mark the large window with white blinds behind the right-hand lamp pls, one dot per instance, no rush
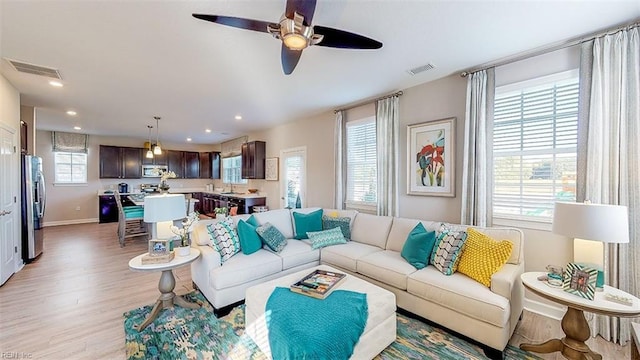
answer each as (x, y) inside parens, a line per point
(535, 133)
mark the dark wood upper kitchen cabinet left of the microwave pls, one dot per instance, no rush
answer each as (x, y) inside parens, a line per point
(120, 162)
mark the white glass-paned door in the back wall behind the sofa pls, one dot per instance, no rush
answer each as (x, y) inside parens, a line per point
(293, 172)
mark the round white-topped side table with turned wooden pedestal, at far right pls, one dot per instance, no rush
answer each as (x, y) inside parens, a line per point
(574, 324)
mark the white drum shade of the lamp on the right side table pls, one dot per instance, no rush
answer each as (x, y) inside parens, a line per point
(598, 222)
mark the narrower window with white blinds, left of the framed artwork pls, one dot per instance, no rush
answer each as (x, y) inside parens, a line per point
(361, 163)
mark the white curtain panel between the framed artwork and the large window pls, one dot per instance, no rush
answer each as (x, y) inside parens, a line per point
(477, 167)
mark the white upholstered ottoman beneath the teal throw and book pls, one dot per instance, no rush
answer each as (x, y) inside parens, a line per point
(379, 332)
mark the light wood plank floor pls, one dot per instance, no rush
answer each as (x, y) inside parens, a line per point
(68, 304)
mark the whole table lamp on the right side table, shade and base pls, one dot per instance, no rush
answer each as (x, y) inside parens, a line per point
(591, 225)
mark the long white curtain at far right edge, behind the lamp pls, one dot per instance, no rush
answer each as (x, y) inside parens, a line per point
(612, 165)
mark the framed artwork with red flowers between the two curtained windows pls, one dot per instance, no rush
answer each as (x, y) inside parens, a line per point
(431, 158)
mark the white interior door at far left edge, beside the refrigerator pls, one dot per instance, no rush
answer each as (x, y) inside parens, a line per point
(8, 207)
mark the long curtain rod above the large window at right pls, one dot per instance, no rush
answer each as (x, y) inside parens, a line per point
(549, 48)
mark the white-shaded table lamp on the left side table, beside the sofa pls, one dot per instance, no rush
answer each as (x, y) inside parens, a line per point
(162, 210)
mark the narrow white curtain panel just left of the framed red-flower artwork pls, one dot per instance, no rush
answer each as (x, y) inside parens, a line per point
(387, 154)
